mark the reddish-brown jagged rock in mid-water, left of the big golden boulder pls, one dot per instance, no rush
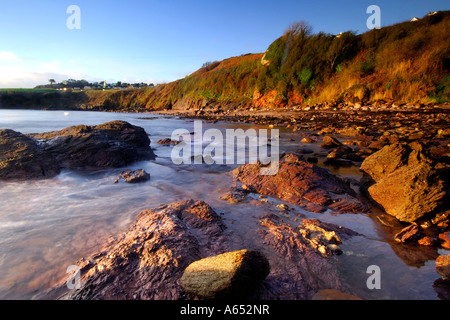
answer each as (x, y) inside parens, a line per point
(303, 184)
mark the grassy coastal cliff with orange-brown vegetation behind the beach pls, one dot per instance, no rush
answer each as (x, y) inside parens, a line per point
(406, 63)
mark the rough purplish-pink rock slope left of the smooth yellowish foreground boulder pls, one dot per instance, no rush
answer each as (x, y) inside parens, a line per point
(147, 261)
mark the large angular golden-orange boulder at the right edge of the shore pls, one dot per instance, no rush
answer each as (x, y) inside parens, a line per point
(402, 180)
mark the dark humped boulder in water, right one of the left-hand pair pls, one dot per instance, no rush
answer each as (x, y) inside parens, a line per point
(110, 145)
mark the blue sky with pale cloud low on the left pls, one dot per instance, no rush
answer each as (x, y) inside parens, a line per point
(161, 41)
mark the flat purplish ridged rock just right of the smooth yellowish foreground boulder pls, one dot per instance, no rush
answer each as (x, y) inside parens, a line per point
(306, 266)
